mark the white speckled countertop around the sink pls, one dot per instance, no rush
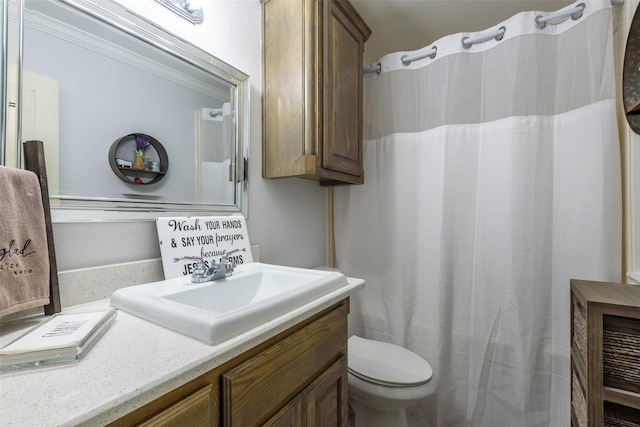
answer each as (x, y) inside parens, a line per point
(133, 363)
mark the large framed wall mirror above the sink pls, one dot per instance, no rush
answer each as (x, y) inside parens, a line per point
(92, 73)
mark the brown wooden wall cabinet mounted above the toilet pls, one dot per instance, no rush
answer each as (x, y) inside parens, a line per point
(312, 90)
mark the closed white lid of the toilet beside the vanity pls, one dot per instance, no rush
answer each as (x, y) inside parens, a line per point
(386, 364)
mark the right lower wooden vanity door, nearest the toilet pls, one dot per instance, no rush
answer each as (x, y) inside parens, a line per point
(325, 400)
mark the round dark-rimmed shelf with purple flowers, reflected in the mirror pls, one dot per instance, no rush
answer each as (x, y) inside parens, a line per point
(121, 160)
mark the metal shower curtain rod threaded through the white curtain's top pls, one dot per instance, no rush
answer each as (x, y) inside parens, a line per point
(541, 22)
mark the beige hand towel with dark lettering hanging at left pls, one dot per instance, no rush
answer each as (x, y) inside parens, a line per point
(24, 257)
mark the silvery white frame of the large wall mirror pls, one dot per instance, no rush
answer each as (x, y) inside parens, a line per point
(97, 209)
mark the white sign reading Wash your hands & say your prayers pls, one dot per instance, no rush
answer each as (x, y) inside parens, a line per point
(207, 236)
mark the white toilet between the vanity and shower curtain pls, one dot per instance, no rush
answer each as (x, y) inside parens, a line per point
(383, 380)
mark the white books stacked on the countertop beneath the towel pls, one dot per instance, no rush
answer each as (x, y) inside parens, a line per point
(62, 338)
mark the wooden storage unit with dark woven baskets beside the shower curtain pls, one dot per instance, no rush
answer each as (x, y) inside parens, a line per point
(605, 354)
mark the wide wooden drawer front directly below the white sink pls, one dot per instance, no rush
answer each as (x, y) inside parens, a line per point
(253, 390)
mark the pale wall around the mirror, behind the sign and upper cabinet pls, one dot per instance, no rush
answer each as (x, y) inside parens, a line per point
(286, 217)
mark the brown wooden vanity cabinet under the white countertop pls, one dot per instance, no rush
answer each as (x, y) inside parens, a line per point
(297, 378)
